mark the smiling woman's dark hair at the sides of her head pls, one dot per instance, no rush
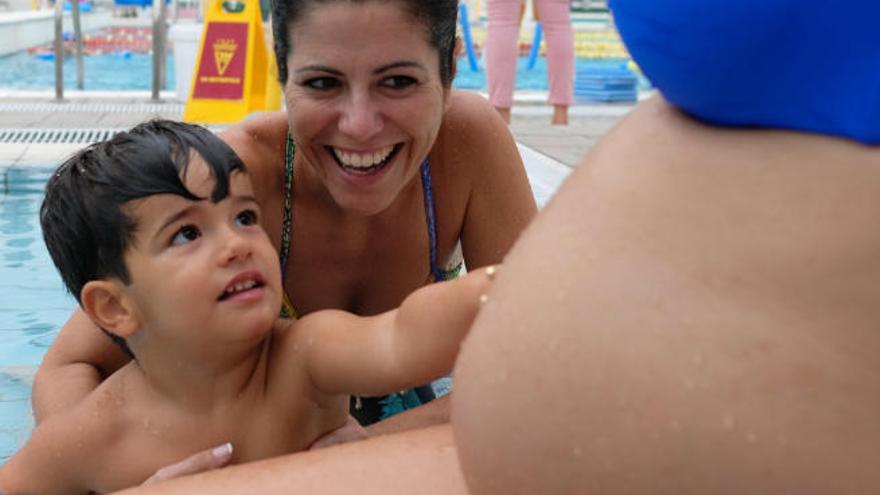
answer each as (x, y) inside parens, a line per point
(438, 17)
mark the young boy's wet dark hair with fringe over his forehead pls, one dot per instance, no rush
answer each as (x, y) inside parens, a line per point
(85, 226)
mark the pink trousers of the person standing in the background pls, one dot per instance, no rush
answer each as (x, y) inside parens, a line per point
(502, 49)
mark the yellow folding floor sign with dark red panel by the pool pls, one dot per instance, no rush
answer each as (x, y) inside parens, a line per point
(235, 74)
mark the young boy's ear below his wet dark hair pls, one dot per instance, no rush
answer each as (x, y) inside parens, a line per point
(109, 307)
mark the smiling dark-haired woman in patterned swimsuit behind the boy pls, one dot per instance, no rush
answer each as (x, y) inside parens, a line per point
(370, 185)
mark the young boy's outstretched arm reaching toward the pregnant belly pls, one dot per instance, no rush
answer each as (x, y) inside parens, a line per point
(398, 349)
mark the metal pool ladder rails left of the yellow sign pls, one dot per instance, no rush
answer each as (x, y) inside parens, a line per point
(160, 34)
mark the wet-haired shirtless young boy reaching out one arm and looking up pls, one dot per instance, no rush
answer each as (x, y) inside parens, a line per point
(157, 233)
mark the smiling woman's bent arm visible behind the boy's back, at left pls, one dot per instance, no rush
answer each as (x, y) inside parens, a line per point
(78, 360)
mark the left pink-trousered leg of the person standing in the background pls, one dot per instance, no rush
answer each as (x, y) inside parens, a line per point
(501, 53)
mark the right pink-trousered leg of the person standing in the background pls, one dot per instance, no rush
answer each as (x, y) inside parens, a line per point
(556, 23)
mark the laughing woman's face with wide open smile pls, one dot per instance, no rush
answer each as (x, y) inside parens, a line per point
(364, 99)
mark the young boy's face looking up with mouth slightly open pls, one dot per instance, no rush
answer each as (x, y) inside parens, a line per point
(199, 267)
